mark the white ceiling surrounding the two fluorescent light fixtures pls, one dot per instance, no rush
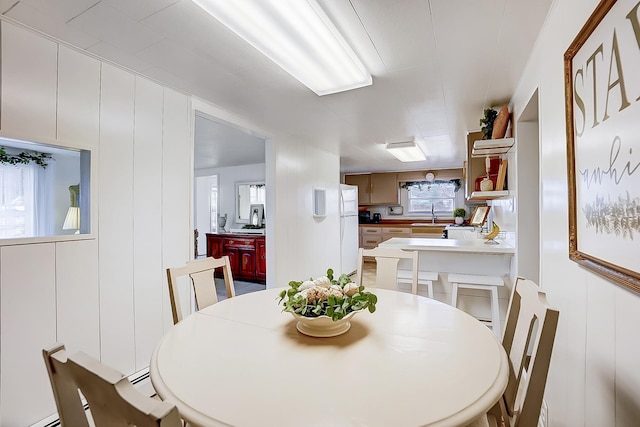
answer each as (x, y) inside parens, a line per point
(436, 64)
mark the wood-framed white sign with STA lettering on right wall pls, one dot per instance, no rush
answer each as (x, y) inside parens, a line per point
(602, 103)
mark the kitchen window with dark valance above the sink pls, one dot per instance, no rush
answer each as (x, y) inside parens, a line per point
(437, 197)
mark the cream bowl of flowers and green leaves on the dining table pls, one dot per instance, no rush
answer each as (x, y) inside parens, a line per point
(324, 305)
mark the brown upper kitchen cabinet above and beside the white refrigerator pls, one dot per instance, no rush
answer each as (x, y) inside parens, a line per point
(375, 188)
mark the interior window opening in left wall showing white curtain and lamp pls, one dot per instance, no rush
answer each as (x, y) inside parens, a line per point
(44, 190)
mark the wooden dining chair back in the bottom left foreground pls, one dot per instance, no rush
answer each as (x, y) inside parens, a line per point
(113, 401)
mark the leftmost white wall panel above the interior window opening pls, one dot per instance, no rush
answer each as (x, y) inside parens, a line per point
(29, 83)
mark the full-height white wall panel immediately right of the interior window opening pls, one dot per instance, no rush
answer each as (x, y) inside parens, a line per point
(115, 219)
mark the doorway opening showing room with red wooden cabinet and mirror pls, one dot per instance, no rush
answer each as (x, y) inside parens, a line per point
(226, 156)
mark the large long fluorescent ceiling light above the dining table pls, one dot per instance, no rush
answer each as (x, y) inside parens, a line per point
(298, 36)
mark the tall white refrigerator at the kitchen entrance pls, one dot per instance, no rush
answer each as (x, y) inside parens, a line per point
(349, 240)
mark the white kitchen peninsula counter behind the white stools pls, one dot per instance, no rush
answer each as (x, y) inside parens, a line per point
(466, 256)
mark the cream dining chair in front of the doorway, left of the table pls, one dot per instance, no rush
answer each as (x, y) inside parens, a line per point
(201, 273)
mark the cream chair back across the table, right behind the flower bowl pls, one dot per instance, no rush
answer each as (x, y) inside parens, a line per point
(387, 260)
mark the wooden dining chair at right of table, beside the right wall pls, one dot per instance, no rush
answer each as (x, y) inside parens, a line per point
(528, 338)
